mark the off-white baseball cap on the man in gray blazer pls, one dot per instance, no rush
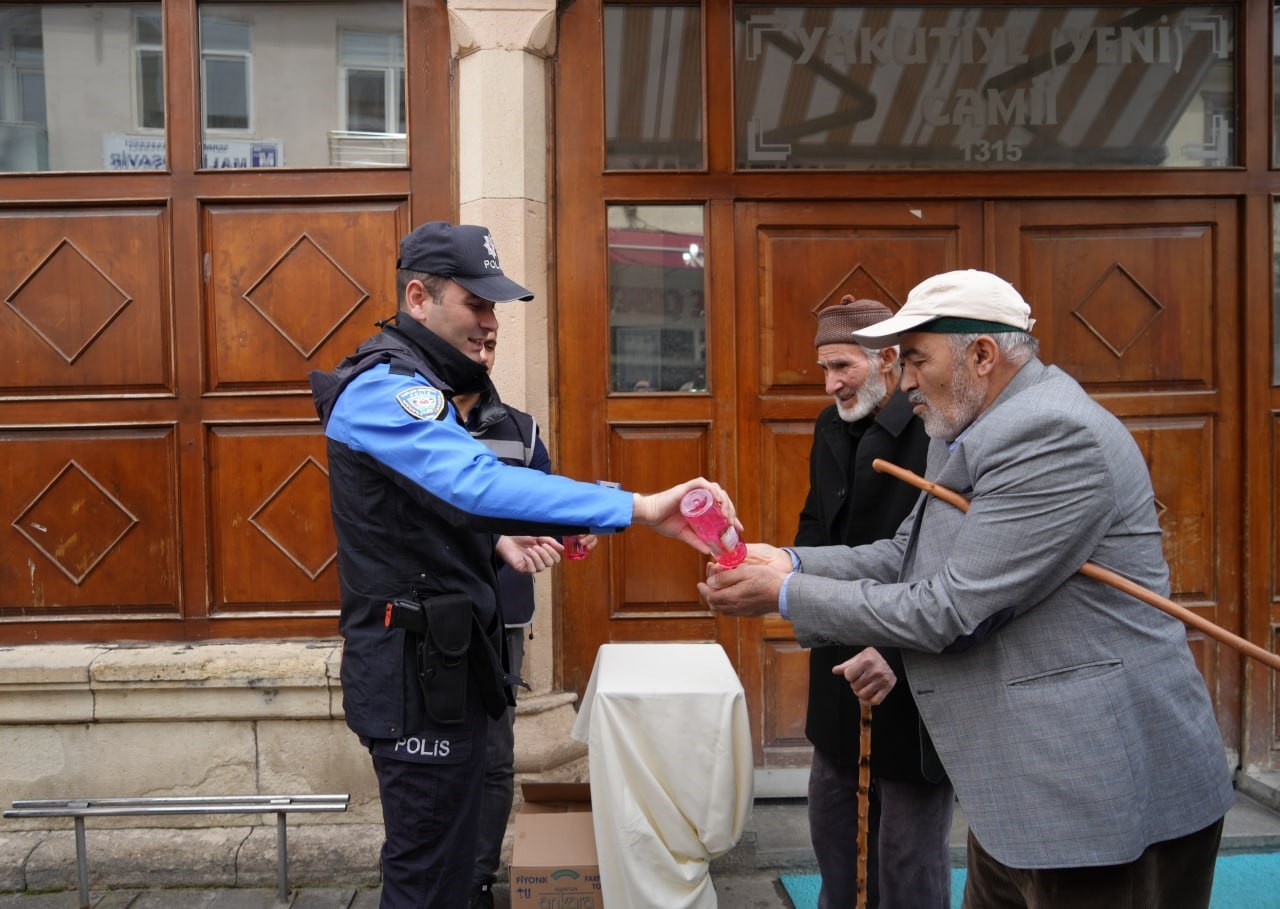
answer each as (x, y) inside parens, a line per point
(954, 303)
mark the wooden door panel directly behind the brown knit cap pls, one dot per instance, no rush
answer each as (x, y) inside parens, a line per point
(804, 269)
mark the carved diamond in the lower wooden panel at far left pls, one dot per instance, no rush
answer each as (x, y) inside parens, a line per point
(75, 522)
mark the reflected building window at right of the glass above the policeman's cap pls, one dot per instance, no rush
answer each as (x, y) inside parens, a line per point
(372, 72)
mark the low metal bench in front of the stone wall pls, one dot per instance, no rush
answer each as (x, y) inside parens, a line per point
(79, 810)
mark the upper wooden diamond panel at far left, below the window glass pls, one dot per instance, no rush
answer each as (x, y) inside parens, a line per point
(86, 302)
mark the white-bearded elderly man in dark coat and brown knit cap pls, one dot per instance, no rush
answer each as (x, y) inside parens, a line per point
(849, 504)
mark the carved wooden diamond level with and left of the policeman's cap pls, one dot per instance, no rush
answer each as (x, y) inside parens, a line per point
(305, 272)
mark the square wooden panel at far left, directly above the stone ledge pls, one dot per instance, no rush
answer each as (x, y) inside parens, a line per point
(90, 523)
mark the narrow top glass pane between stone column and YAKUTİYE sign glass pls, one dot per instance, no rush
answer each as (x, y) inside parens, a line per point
(653, 88)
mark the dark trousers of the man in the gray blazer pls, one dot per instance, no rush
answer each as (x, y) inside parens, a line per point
(1171, 875)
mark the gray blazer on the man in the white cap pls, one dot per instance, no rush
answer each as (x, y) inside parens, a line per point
(1069, 716)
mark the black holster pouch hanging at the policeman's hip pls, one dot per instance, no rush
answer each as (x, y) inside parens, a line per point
(442, 657)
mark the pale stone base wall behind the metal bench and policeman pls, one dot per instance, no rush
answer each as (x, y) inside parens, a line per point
(222, 719)
